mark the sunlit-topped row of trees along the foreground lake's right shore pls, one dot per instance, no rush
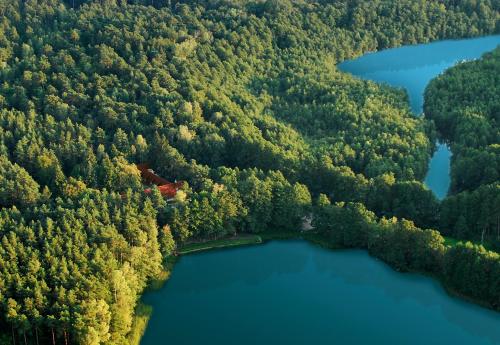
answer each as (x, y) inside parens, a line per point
(467, 269)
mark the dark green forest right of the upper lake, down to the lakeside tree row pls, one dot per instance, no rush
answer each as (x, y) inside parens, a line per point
(464, 103)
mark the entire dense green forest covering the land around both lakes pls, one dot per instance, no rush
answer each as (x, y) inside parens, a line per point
(243, 103)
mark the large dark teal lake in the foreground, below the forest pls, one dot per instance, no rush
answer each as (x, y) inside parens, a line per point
(292, 292)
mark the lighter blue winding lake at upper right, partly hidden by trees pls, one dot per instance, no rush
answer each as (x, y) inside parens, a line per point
(412, 67)
